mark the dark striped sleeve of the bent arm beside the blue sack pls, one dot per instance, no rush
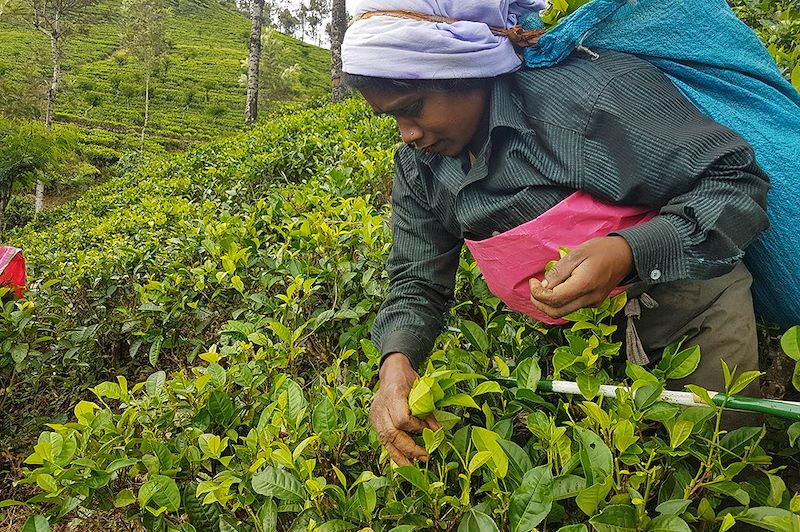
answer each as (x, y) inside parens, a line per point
(646, 144)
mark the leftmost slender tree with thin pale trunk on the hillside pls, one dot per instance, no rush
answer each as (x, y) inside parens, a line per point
(55, 19)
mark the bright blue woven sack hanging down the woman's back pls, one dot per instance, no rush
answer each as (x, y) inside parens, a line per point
(719, 64)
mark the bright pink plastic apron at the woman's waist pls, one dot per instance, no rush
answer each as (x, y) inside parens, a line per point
(508, 260)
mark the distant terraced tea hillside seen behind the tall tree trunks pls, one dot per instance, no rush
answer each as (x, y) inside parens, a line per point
(196, 92)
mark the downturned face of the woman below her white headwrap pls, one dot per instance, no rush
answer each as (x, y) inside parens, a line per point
(438, 122)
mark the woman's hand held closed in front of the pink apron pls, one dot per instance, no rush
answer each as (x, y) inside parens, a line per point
(584, 277)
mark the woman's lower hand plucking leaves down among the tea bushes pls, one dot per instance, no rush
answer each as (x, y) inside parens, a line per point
(390, 415)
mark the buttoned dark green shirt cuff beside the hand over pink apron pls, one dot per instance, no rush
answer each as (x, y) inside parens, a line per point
(657, 250)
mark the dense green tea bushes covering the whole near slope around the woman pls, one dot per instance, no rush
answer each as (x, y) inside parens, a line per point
(192, 354)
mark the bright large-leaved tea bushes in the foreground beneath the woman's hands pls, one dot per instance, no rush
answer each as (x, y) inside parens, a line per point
(237, 443)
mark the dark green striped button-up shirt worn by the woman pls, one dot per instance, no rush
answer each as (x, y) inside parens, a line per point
(615, 127)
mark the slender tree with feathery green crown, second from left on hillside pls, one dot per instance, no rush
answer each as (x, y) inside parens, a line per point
(143, 36)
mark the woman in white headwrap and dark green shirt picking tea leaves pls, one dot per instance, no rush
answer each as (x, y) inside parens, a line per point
(492, 150)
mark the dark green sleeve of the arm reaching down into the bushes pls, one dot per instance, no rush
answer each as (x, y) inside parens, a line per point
(422, 268)
